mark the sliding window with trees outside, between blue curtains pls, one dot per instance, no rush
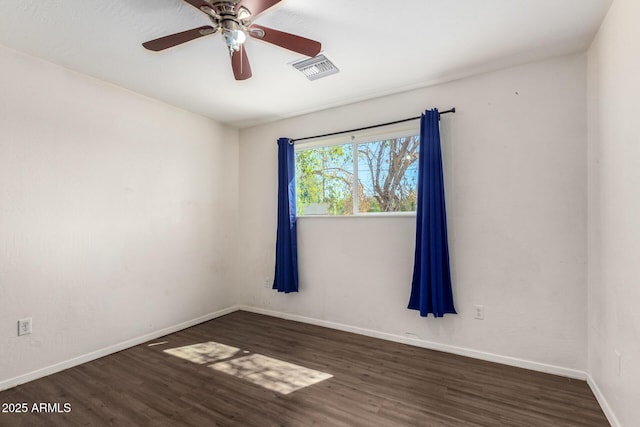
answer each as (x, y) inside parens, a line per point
(369, 174)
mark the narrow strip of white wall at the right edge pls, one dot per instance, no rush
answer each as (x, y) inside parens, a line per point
(614, 210)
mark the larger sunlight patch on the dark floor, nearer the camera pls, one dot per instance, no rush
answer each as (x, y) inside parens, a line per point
(272, 374)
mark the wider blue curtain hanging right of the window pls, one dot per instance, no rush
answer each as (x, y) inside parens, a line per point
(431, 284)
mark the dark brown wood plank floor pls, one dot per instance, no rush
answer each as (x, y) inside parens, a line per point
(375, 383)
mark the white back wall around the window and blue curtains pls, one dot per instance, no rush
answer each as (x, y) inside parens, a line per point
(515, 171)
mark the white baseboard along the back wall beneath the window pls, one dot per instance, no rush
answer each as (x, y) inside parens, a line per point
(461, 351)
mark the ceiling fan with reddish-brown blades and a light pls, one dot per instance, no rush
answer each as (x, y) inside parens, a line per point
(233, 19)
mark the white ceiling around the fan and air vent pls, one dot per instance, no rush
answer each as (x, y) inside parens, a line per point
(381, 47)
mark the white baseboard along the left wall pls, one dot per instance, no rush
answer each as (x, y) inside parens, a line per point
(21, 379)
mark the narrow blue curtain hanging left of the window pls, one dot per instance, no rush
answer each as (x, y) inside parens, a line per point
(286, 275)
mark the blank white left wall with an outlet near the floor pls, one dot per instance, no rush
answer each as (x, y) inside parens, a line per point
(117, 214)
